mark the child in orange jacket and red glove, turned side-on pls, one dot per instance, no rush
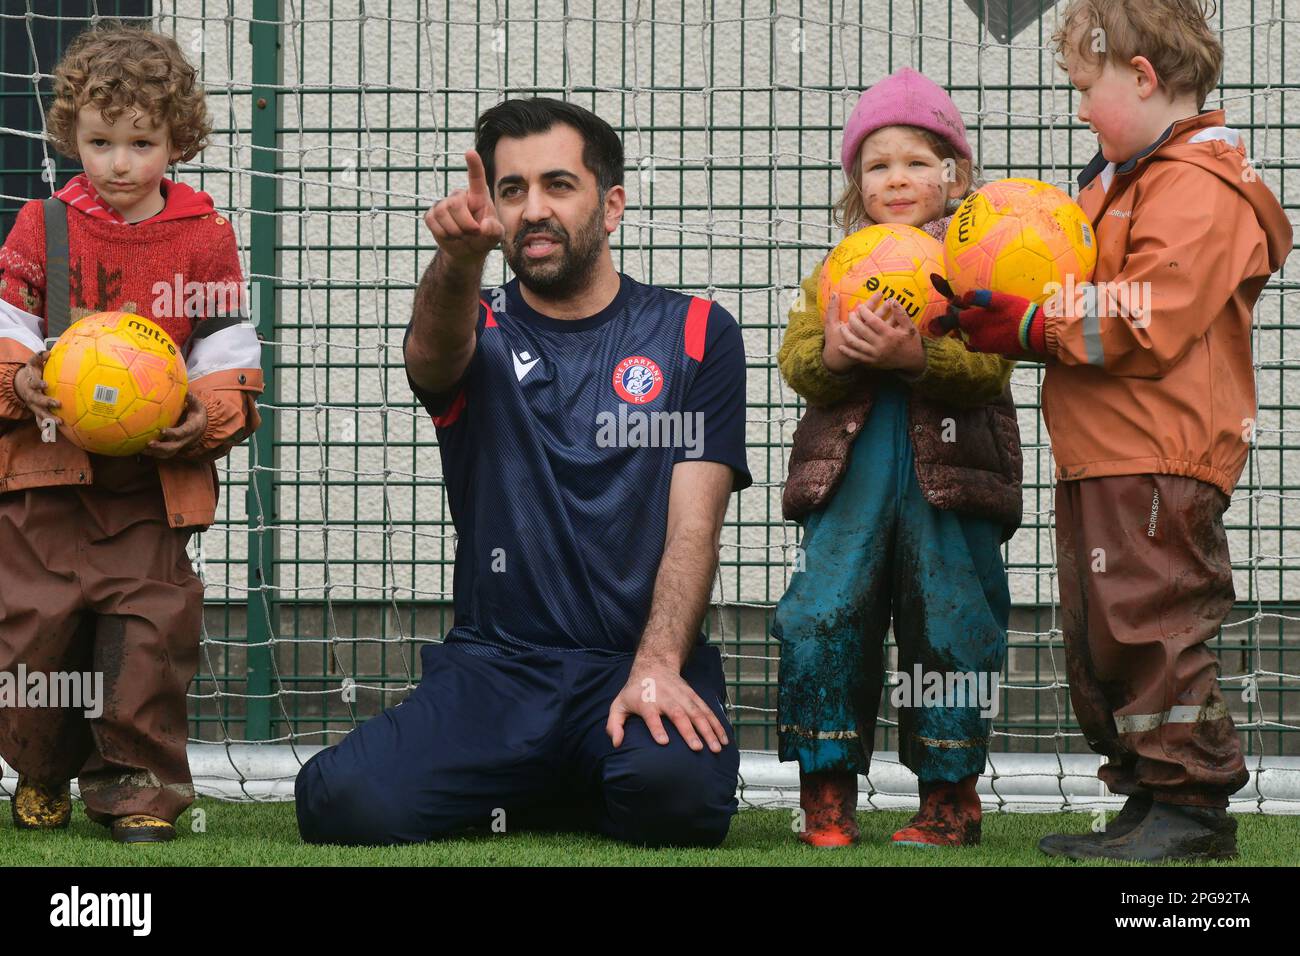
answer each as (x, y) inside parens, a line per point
(1150, 400)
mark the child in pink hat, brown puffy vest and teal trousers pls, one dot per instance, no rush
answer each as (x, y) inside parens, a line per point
(909, 526)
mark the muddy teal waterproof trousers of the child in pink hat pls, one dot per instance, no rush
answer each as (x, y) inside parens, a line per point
(878, 551)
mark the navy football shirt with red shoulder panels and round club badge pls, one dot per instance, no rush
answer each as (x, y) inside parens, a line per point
(558, 448)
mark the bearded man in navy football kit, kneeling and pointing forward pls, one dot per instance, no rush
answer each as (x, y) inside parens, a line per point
(592, 430)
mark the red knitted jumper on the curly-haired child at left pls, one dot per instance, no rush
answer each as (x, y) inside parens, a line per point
(140, 269)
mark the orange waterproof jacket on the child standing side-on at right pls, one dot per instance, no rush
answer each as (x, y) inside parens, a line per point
(1189, 235)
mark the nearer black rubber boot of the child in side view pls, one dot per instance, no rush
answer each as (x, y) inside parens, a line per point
(1171, 832)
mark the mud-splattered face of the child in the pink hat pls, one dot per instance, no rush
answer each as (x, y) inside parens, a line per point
(903, 180)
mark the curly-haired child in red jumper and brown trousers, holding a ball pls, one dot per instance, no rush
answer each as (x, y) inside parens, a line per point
(97, 582)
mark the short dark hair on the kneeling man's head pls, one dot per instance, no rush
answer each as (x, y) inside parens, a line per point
(603, 150)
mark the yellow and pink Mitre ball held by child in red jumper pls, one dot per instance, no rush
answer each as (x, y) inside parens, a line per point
(120, 382)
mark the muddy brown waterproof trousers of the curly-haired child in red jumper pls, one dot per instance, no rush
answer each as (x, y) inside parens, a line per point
(94, 581)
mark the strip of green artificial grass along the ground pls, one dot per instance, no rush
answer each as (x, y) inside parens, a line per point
(267, 836)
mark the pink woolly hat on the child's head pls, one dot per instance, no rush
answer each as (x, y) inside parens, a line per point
(905, 98)
